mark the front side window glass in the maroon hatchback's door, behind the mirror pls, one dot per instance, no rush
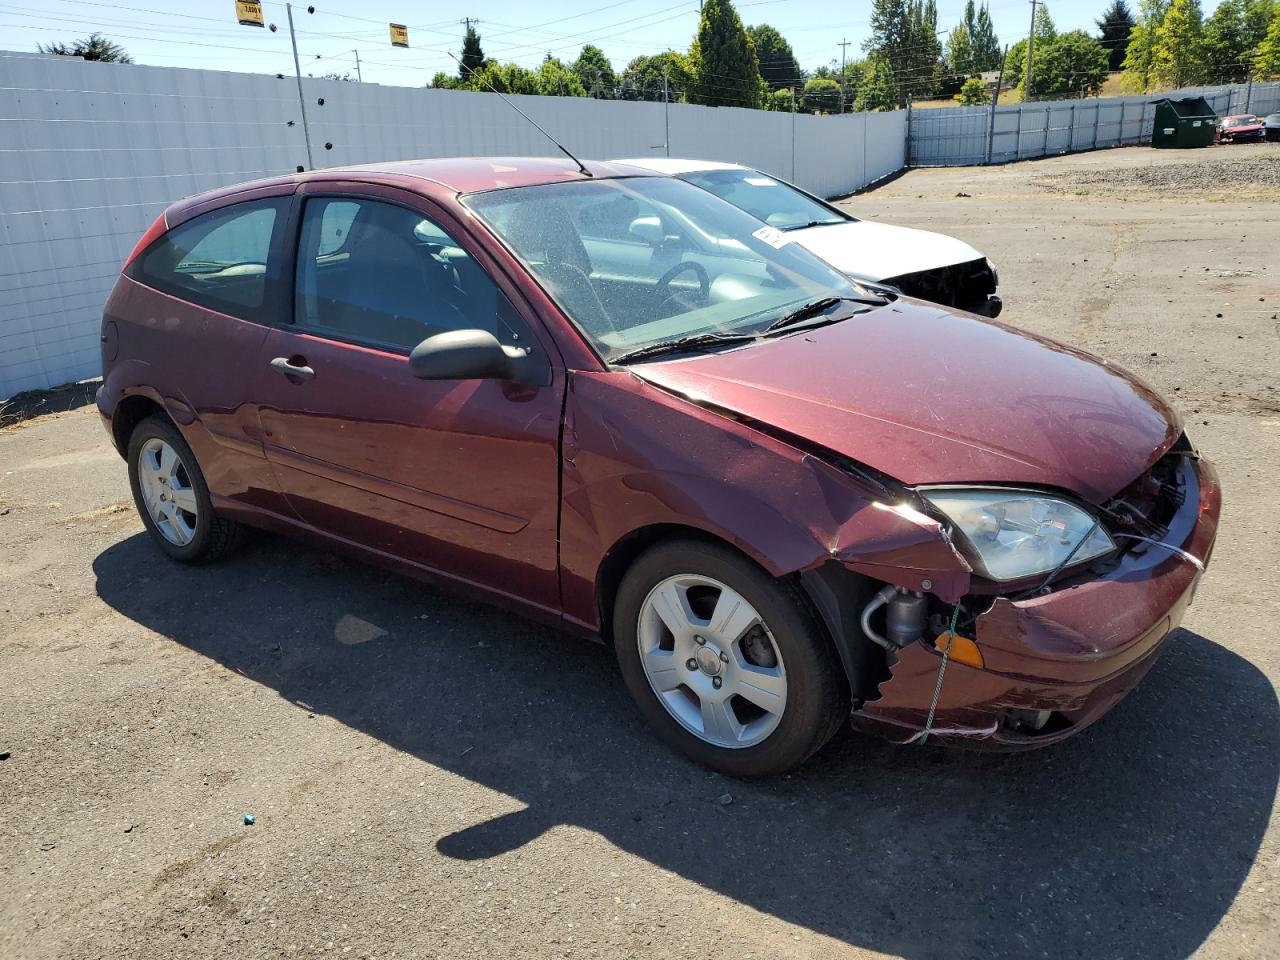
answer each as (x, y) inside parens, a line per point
(381, 275)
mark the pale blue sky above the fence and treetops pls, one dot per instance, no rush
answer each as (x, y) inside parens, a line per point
(205, 33)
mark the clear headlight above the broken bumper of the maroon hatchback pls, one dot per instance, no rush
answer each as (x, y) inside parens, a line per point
(1017, 534)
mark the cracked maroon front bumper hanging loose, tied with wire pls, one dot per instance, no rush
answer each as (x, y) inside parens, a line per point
(1076, 652)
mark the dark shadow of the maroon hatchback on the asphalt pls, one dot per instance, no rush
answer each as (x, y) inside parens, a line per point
(1131, 840)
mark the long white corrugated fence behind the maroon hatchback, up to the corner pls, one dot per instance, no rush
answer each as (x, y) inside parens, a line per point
(92, 153)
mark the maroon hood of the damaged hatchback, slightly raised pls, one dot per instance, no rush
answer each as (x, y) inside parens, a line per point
(930, 396)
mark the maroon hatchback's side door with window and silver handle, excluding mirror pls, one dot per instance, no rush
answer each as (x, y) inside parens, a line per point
(460, 477)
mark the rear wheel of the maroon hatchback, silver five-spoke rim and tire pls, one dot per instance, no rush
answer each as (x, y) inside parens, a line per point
(172, 497)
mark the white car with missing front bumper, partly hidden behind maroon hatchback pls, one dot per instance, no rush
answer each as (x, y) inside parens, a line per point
(922, 264)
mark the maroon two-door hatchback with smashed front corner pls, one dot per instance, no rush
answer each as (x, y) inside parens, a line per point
(620, 404)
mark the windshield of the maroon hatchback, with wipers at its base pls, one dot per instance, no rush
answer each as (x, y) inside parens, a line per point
(648, 260)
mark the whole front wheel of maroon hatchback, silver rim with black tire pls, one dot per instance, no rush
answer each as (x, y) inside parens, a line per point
(728, 664)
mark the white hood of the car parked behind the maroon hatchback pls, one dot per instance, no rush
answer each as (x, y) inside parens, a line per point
(877, 252)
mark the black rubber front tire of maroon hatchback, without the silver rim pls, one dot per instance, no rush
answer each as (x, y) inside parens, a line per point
(817, 693)
